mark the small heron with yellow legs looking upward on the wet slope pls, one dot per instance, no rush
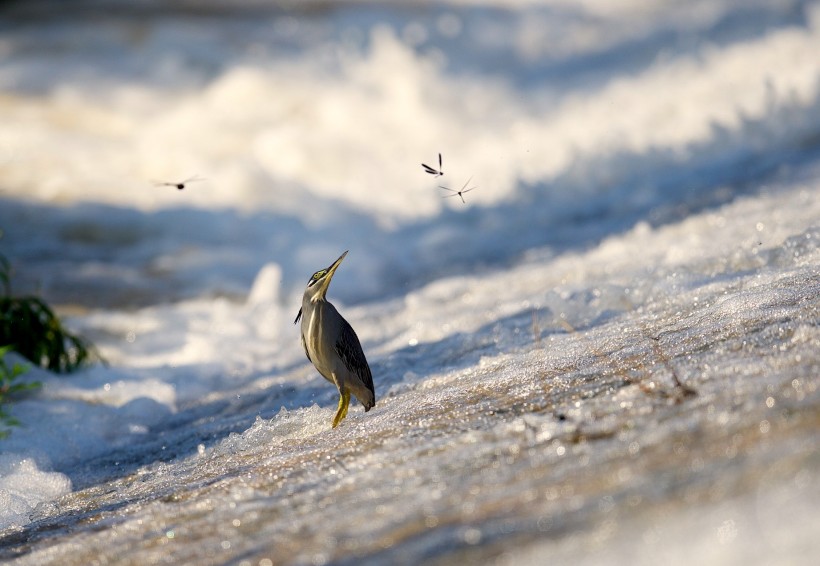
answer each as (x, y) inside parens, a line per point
(332, 346)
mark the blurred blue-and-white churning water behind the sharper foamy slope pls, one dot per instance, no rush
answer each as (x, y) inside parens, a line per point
(306, 124)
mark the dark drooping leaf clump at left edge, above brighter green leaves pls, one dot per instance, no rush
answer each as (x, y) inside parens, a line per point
(29, 327)
